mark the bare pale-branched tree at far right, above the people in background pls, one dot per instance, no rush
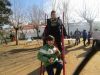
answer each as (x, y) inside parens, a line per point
(88, 14)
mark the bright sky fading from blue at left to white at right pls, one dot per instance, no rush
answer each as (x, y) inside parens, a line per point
(47, 5)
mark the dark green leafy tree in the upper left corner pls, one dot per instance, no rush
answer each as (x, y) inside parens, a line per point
(5, 11)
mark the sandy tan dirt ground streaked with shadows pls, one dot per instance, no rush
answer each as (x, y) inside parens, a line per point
(22, 59)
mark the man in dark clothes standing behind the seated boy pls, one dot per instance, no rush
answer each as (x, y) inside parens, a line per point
(54, 28)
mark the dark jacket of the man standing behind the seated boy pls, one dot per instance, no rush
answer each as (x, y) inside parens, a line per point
(55, 30)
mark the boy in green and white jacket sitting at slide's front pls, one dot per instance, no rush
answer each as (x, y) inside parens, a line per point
(49, 54)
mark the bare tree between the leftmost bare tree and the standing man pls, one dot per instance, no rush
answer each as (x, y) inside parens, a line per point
(35, 16)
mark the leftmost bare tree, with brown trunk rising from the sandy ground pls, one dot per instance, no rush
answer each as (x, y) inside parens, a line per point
(16, 19)
